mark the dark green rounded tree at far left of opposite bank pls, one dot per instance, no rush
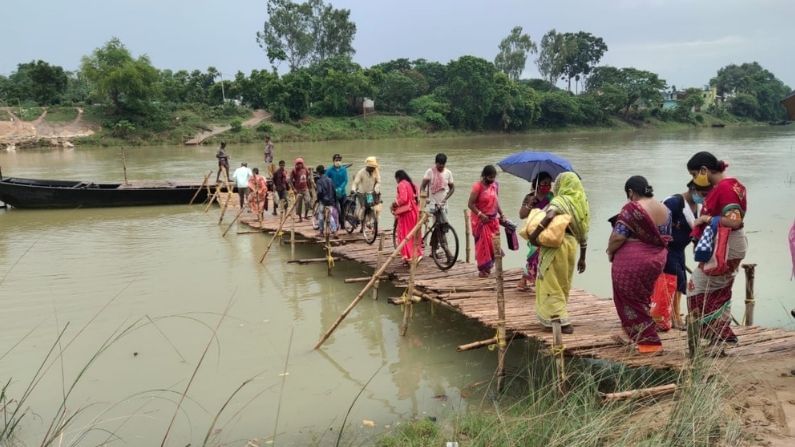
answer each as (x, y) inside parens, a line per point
(39, 82)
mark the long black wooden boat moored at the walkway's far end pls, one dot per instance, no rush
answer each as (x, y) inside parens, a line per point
(31, 193)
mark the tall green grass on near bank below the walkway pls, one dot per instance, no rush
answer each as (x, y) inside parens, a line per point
(533, 413)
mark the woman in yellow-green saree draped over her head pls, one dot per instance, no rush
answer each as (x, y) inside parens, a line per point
(556, 264)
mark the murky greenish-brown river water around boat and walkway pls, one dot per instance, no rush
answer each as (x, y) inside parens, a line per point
(168, 272)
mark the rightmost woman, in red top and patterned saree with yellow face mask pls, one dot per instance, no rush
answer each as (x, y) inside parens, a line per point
(709, 295)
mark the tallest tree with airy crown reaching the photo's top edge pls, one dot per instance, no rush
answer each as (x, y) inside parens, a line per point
(304, 33)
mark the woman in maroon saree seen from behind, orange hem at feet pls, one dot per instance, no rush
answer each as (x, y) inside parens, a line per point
(637, 249)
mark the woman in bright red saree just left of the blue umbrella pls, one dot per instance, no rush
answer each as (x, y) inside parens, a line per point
(485, 218)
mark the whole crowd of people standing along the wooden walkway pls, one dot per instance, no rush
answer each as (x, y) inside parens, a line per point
(648, 245)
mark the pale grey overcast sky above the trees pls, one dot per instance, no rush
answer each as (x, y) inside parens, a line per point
(685, 41)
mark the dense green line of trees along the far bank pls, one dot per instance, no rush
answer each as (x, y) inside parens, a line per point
(468, 93)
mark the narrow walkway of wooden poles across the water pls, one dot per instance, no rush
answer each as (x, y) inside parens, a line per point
(594, 319)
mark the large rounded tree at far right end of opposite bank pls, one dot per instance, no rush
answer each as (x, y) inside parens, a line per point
(754, 80)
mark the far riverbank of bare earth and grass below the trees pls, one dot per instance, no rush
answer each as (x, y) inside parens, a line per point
(64, 126)
